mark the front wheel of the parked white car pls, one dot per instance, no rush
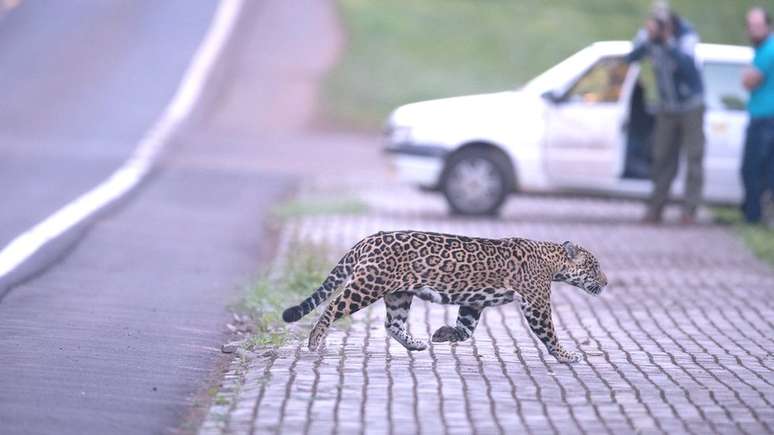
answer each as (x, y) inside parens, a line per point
(476, 182)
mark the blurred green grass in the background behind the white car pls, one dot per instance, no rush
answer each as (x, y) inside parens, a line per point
(401, 51)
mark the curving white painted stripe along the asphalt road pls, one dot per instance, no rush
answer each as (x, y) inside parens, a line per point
(145, 154)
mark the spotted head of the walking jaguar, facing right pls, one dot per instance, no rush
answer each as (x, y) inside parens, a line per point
(580, 268)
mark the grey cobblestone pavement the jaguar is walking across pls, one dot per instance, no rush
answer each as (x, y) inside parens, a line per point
(682, 340)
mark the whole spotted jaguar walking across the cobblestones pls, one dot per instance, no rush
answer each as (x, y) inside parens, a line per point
(473, 273)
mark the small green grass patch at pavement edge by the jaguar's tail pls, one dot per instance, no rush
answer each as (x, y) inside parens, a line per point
(305, 268)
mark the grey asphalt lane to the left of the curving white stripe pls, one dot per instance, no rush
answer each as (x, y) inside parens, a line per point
(81, 82)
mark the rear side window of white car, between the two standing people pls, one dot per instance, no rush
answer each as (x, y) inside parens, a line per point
(723, 86)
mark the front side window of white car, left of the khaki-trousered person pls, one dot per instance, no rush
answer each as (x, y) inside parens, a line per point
(601, 83)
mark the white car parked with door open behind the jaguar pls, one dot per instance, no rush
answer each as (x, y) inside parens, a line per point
(583, 125)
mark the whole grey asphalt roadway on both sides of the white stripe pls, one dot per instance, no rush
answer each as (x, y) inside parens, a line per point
(119, 328)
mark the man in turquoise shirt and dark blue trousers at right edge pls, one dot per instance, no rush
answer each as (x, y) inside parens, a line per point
(758, 157)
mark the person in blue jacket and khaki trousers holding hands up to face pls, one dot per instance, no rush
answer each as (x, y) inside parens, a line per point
(670, 42)
